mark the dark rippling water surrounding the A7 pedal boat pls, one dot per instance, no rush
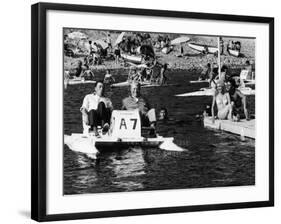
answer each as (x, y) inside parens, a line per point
(212, 158)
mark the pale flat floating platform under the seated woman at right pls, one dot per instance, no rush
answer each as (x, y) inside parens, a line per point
(243, 127)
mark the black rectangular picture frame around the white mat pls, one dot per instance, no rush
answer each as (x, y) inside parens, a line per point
(38, 108)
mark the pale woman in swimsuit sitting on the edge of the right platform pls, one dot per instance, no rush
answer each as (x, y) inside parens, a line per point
(221, 99)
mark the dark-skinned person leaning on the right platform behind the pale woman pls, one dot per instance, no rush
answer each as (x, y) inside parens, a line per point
(238, 100)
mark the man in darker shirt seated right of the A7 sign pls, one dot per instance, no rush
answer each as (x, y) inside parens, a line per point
(136, 101)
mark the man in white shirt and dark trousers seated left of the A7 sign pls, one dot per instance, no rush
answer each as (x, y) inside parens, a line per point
(96, 110)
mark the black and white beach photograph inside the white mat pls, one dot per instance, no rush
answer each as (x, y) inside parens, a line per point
(148, 111)
